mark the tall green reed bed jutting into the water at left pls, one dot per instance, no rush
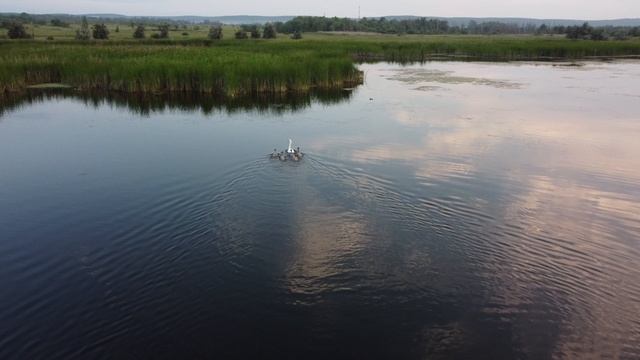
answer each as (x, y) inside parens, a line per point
(140, 68)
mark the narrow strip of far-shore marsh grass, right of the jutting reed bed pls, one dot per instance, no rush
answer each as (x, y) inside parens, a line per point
(474, 47)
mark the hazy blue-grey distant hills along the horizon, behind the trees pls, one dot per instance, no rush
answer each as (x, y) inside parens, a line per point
(254, 19)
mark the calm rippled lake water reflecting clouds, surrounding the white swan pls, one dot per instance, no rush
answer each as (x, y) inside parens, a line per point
(444, 210)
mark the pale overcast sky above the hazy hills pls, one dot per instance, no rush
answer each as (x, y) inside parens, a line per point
(566, 9)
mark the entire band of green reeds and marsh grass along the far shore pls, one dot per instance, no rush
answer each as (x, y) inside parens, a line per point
(238, 68)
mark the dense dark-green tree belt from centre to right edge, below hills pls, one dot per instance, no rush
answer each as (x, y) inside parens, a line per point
(438, 26)
